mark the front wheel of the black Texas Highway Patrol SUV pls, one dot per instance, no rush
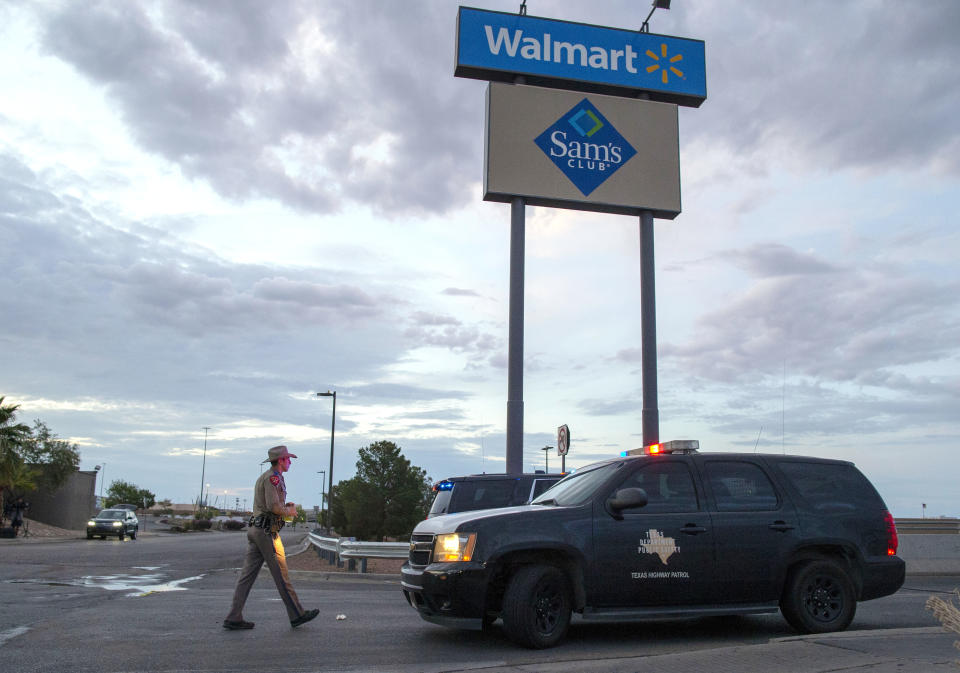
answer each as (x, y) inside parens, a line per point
(536, 606)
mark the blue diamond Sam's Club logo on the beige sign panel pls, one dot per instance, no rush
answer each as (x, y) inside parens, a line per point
(585, 146)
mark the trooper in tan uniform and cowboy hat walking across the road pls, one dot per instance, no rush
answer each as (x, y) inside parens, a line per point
(264, 545)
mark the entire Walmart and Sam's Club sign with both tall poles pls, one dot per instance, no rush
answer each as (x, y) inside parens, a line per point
(581, 117)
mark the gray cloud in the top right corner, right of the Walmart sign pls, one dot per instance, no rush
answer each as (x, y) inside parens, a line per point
(831, 84)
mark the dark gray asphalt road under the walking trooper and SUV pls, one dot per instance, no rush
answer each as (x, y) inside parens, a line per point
(157, 603)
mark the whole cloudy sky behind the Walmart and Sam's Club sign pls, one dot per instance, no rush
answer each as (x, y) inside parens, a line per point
(210, 211)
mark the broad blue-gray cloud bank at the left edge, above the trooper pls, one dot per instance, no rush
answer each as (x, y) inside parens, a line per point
(107, 309)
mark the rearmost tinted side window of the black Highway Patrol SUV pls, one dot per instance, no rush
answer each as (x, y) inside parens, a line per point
(832, 486)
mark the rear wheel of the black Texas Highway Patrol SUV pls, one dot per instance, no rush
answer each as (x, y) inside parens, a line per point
(818, 598)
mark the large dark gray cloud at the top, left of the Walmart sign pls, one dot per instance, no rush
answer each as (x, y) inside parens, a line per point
(239, 108)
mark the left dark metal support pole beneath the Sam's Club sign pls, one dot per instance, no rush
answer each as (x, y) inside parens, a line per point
(515, 345)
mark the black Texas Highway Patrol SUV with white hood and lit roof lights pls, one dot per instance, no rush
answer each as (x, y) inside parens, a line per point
(668, 532)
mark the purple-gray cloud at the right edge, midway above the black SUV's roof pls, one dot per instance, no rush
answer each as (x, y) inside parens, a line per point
(838, 326)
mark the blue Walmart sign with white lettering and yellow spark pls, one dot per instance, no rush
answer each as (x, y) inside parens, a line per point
(499, 46)
